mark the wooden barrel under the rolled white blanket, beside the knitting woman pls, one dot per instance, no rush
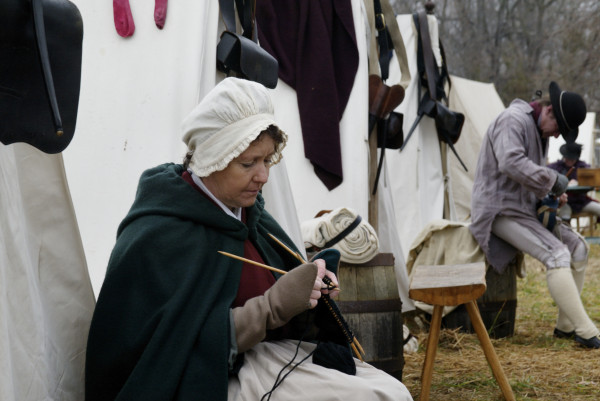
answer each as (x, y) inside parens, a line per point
(371, 305)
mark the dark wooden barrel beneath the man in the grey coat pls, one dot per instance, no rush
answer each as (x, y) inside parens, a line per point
(498, 305)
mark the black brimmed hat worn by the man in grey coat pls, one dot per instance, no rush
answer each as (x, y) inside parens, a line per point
(569, 110)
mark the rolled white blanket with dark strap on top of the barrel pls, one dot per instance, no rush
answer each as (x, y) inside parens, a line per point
(358, 246)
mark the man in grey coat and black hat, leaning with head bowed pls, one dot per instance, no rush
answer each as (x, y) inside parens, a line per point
(510, 179)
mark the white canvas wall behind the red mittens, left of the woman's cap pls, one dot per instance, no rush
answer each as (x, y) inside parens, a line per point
(134, 94)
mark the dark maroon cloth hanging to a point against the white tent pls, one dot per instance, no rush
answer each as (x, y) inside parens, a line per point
(314, 42)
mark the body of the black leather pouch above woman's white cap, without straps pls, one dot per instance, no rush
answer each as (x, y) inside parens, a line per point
(242, 56)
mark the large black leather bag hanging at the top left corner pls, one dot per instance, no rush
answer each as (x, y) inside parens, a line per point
(40, 72)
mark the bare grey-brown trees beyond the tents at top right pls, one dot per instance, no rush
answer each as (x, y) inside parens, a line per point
(521, 45)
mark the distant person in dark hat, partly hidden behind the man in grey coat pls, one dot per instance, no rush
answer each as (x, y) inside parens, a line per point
(577, 201)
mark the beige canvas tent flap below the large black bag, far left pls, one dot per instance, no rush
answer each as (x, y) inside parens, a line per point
(46, 299)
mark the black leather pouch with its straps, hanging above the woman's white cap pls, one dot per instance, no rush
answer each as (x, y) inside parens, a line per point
(239, 55)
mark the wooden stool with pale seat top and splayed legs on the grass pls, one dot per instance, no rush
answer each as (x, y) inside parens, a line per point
(449, 285)
